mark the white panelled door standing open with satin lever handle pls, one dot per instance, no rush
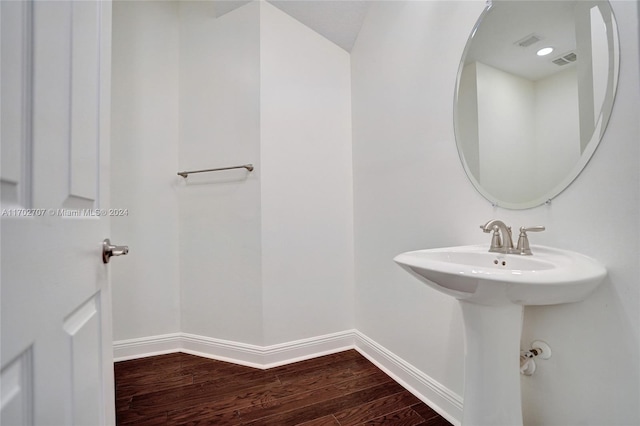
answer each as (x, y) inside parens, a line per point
(56, 354)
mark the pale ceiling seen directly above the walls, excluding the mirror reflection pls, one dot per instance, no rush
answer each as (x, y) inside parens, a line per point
(336, 20)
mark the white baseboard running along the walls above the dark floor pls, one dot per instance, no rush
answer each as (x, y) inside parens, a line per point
(444, 401)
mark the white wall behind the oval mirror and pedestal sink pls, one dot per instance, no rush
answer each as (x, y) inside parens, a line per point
(410, 192)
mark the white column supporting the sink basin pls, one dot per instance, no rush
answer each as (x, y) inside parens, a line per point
(492, 365)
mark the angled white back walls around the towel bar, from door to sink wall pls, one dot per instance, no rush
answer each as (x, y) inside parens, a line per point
(255, 258)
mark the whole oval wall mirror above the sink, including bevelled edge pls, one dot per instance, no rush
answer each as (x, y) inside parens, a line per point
(534, 94)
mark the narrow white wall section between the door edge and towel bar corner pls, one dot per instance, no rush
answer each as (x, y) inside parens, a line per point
(144, 154)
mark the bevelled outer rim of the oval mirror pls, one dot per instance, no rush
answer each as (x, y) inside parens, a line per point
(587, 154)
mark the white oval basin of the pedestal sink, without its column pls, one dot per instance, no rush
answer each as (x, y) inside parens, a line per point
(550, 276)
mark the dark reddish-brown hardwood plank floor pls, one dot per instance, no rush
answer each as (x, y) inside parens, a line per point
(339, 389)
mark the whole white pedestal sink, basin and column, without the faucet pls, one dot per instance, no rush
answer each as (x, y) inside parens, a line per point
(493, 289)
